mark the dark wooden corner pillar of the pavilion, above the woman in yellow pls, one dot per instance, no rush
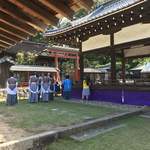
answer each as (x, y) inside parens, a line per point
(81, 62)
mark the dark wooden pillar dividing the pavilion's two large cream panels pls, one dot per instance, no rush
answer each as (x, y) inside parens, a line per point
(113, 59)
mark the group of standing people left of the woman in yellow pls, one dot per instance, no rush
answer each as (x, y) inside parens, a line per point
(40, 88)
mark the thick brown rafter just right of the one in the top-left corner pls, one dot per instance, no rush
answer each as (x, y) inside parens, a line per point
(36, 11)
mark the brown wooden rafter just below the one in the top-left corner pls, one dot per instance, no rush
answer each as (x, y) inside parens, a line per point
(17, 24)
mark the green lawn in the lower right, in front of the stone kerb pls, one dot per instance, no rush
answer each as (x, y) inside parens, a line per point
(135, 136)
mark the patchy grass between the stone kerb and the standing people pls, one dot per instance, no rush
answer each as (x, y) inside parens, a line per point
(43, 116)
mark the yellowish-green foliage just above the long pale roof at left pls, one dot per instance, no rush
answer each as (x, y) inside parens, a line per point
(23, 58)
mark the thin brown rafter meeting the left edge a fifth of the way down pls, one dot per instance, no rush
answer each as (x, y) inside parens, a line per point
(11, 34)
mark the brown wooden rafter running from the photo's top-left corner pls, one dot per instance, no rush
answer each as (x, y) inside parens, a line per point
(9, 8)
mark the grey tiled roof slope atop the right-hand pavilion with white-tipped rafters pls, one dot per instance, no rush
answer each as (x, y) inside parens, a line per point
(102, 10)
